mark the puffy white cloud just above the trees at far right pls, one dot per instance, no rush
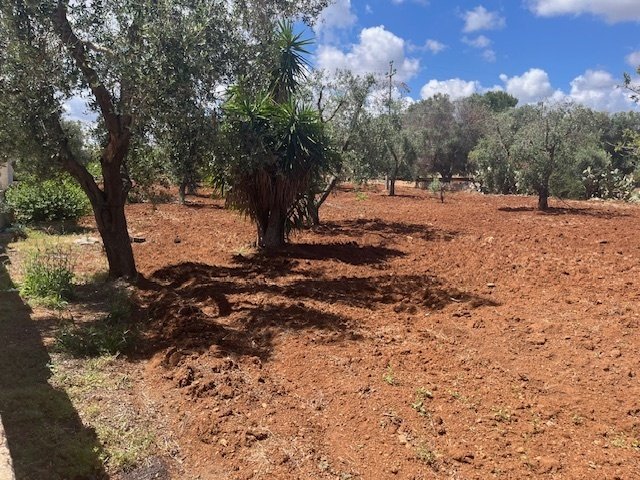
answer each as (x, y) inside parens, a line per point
(599, 90)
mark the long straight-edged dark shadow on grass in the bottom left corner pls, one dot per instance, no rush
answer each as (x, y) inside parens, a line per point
(45, 434)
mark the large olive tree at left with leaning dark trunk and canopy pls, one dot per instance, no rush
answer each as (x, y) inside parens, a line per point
(132, 60)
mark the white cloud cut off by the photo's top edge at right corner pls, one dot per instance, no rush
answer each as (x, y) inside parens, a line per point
(610, 10)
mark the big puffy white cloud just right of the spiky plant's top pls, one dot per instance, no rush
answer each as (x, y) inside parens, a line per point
(372, 54)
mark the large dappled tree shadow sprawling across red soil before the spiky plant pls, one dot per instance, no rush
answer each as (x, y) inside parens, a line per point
(242, 309)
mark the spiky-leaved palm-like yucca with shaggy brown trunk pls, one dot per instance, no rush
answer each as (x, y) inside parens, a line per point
(276, 143)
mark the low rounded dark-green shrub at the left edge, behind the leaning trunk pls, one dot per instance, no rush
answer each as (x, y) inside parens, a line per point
(49, 200)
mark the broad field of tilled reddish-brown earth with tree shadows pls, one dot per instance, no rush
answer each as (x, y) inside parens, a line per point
(403, 338)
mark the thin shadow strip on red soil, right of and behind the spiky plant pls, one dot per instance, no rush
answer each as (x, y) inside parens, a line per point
(356, 228)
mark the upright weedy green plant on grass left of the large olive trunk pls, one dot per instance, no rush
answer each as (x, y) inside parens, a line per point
(48, 276)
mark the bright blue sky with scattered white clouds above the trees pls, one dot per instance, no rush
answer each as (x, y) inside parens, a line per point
(534, 49)
